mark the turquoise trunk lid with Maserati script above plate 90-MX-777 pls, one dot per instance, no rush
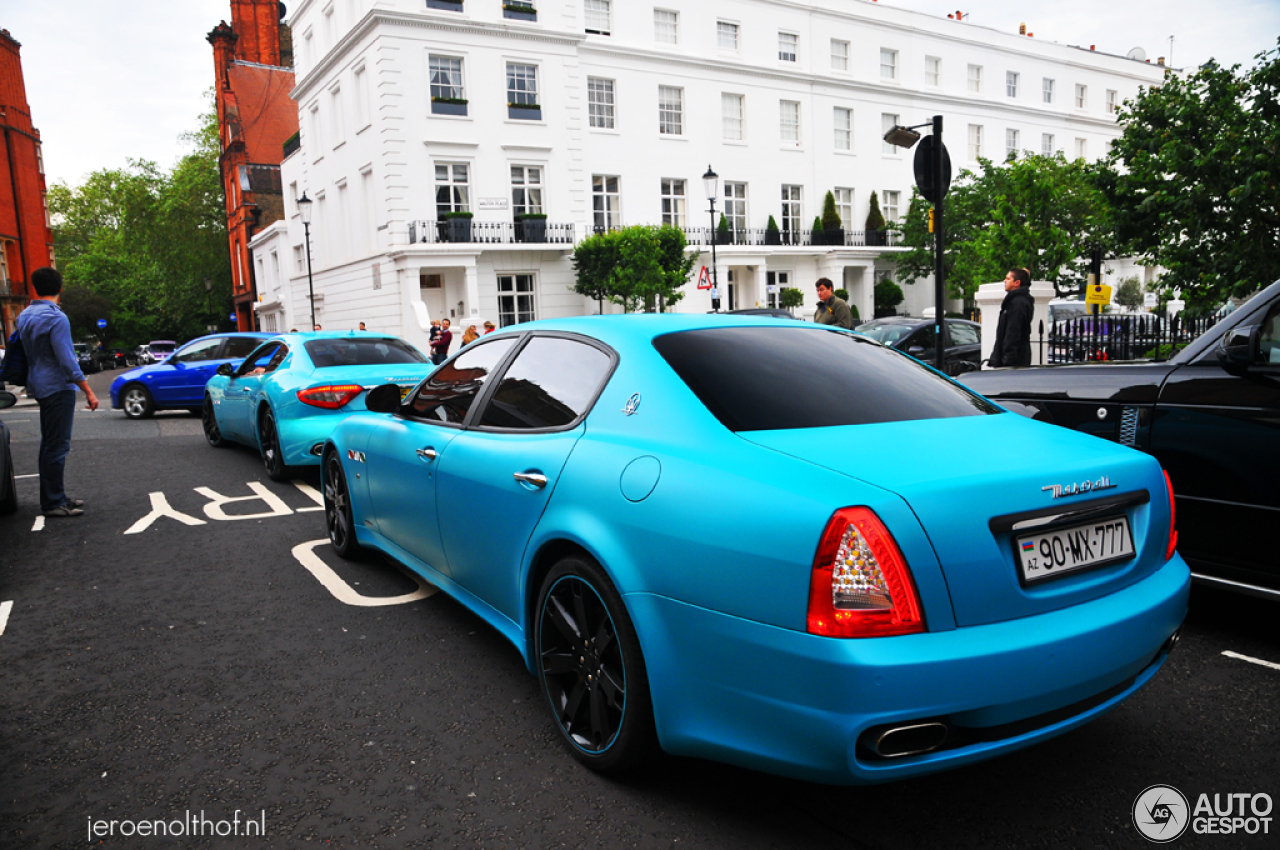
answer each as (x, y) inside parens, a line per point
(970, 479)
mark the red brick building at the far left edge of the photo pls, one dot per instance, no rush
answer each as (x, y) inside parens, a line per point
(26, 239)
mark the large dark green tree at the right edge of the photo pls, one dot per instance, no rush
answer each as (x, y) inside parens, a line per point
(1195, 180)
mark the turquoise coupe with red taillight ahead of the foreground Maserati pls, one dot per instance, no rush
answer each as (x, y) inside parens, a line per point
(291, 392)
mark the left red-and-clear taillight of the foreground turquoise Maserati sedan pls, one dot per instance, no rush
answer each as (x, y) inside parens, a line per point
(861, 586)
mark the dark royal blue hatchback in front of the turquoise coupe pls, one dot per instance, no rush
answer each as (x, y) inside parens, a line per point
(179, 381)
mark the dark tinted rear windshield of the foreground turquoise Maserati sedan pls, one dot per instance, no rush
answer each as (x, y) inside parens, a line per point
(756, 380)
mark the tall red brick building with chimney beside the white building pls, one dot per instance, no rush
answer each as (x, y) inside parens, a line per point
(253, 61)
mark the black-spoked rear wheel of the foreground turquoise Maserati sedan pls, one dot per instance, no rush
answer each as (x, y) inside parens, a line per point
(591, 669)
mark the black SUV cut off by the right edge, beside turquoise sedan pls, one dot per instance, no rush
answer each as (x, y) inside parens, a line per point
(1210, 415)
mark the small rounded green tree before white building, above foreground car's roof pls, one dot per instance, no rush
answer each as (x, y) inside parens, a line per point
(639, 268)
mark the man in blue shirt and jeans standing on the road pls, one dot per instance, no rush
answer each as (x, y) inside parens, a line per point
(53, 376)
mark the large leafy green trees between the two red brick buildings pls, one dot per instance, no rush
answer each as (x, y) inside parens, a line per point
(145, 241)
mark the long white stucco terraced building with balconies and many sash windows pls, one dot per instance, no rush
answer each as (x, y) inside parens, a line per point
(600, 113)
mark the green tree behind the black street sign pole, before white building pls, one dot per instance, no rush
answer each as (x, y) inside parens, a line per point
(1041, 213)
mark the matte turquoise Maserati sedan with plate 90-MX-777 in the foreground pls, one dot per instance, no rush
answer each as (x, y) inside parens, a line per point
(769, 543)
